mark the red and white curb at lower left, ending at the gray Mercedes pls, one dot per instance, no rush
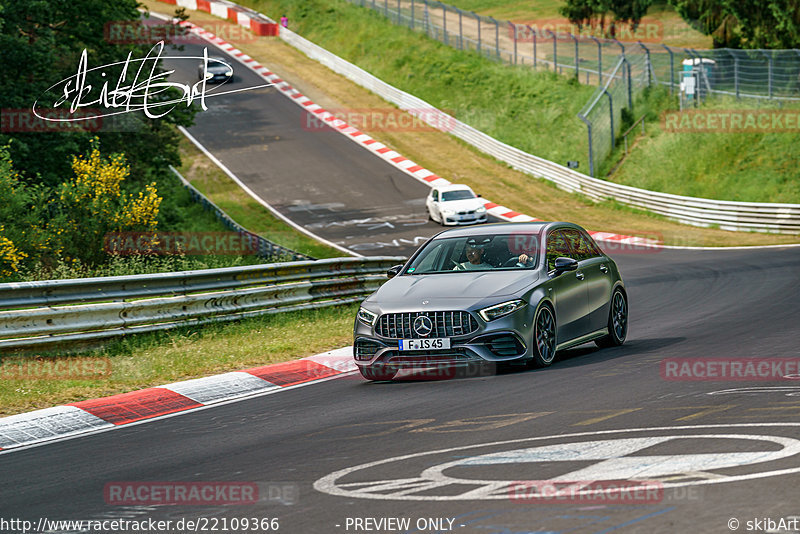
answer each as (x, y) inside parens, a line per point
(95, 415)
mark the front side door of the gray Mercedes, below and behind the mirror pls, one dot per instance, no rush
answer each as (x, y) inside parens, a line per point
(568, 290)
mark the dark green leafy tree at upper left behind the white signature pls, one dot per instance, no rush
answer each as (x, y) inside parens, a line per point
(42, 41)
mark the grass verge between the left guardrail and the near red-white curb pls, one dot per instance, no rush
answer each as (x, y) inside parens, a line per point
(154, 359)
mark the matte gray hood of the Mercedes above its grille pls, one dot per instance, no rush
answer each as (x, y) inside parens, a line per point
(450, 289)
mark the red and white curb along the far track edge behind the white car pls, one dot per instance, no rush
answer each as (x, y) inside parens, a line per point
(389, 155)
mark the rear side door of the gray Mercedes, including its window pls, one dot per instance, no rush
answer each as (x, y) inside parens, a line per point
(597, 277)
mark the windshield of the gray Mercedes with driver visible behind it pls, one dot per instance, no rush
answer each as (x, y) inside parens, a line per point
(496, 252)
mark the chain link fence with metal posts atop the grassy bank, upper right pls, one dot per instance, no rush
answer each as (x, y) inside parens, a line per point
(621, 70)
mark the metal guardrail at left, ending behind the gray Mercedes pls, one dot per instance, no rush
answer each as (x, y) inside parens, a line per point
(34, 314)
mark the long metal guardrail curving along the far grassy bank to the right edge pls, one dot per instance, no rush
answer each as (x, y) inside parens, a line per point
(727, 215)
